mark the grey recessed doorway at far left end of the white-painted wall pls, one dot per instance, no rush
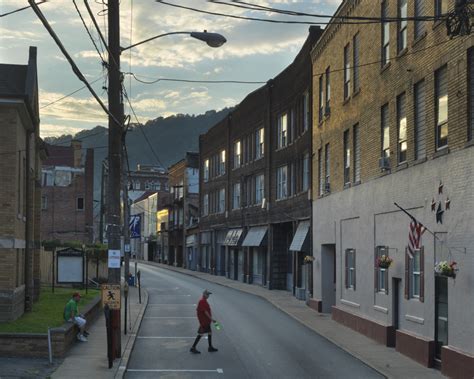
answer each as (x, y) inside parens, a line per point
(328, 277)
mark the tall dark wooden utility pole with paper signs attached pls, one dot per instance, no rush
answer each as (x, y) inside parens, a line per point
(114, 158)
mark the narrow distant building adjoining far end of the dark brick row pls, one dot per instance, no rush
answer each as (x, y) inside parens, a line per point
(183, 206)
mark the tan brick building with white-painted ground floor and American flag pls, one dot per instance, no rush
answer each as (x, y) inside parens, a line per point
(393, 132)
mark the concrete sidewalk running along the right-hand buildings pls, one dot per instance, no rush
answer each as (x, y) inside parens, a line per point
(387, 361)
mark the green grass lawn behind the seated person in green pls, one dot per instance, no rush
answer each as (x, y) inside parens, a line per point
(47, 311)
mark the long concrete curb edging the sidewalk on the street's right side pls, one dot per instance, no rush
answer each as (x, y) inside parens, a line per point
(356, 356)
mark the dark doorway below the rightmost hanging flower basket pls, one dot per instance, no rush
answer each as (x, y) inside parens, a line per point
(441, 314)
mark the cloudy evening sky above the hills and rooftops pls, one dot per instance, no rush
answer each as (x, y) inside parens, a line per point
(255, 51)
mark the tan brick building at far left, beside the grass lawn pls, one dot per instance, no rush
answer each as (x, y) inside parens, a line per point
(21, 152)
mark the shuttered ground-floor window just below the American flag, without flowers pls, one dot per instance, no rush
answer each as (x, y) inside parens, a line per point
(414, 274)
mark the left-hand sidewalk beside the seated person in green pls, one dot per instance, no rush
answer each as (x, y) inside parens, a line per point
(89, 359)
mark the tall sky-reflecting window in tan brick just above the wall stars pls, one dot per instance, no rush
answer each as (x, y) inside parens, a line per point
(441, 93)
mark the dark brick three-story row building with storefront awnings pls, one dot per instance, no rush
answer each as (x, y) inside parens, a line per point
(255, 180)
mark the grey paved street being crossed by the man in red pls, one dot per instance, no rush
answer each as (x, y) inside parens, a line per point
(257, 340)
